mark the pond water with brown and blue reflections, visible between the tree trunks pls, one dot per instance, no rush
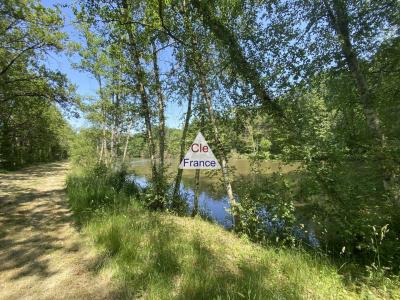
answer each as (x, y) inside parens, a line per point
(213, 201)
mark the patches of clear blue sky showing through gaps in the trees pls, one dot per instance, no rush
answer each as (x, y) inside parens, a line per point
(85, 84)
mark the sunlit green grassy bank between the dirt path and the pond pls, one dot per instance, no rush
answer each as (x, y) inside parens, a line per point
(156, 255)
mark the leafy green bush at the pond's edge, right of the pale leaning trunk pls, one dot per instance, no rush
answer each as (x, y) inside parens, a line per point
(266, 210)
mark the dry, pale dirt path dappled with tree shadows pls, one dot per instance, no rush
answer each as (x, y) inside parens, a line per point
(42, 255)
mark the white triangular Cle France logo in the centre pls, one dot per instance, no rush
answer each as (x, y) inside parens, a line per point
(199, 156)
